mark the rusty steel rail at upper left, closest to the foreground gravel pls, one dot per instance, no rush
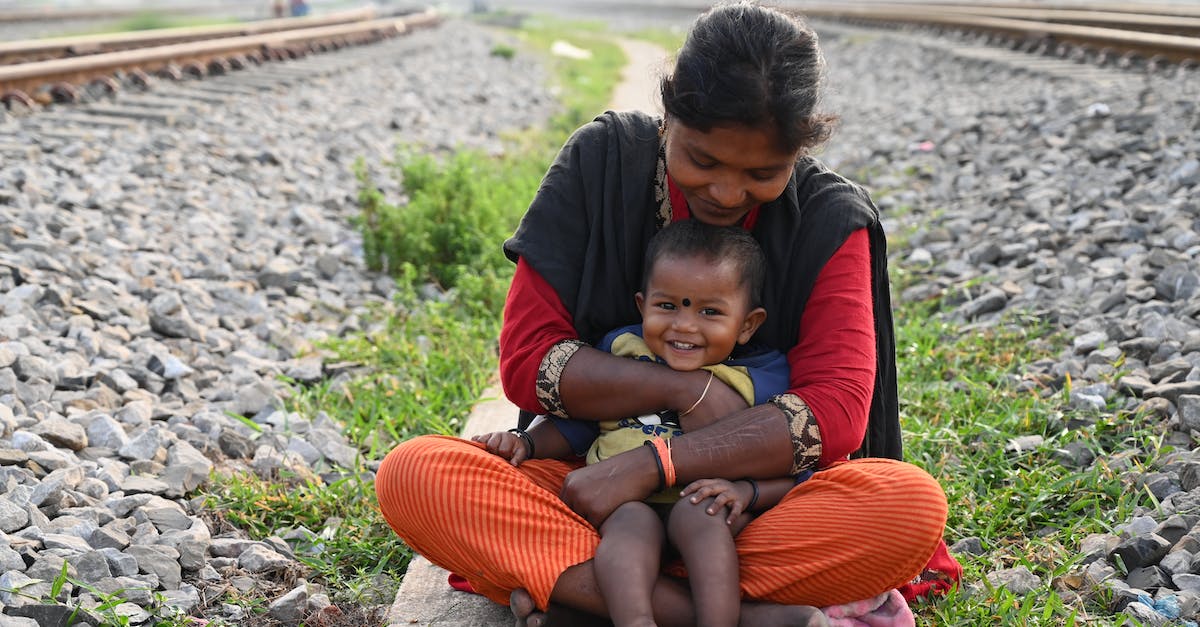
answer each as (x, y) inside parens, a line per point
(19, 81)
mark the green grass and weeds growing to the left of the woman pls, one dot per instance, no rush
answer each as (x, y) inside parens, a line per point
(425, 362)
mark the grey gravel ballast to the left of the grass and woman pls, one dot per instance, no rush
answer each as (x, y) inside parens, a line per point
(157, 284)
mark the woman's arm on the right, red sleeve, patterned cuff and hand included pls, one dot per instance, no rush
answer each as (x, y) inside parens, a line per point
(765, 441)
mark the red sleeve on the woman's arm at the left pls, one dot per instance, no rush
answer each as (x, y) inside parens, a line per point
(535, 320)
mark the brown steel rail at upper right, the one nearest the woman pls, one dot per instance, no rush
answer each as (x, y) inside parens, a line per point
(1173, 47)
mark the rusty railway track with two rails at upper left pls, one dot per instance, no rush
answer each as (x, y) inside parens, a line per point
(67, 69)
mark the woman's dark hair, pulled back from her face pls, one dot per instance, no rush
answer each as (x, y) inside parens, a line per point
(752, 65)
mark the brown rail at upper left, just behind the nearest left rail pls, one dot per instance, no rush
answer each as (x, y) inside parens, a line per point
(26, 51)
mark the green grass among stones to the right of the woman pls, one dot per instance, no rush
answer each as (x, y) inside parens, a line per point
(961, 408)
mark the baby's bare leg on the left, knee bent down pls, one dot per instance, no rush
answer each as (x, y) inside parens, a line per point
(628, 562)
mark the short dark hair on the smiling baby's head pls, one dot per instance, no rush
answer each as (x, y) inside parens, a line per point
(713, 244)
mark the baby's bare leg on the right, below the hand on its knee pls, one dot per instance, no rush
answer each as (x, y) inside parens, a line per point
(706, 545)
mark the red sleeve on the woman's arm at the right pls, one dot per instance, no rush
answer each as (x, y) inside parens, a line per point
(833, 366)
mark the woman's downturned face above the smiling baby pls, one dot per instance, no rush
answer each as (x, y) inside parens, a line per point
(728, 171)
